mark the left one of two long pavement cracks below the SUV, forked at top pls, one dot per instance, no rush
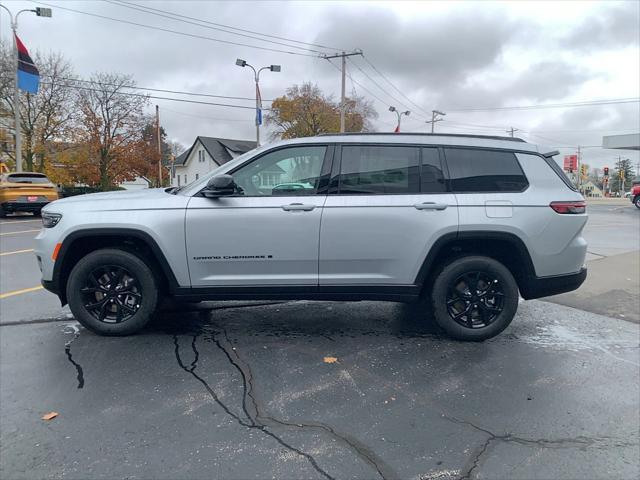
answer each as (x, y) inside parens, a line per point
(250, 422)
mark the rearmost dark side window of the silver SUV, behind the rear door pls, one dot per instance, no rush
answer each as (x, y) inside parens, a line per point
(473, 170)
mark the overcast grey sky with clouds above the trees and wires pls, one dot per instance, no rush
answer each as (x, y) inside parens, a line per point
(451, 56)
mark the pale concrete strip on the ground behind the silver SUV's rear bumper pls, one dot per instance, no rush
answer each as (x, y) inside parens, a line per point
(612, 288)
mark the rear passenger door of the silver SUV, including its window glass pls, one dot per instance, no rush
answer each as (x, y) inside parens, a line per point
(387, 205)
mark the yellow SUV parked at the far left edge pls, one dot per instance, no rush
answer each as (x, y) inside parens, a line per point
(25, 192)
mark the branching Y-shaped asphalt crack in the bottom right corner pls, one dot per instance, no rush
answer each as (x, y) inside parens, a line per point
(572, 442)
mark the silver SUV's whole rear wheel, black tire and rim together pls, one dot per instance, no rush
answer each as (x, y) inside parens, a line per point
(488, 311)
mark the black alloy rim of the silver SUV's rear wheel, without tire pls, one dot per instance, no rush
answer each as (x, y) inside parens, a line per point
(475, 299)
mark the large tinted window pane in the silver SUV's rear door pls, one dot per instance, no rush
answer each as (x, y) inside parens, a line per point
(378, 169)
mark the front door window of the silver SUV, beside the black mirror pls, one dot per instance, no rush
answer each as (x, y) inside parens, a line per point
(288, 171)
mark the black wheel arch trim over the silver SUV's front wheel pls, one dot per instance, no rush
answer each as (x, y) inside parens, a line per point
(81, 242)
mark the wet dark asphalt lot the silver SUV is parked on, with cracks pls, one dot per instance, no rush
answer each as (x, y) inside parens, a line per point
(253, 390)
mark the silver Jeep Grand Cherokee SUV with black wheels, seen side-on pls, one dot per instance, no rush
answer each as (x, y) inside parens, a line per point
(462, 224)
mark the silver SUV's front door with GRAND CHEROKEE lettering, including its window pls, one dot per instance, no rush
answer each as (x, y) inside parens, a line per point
(268, 232)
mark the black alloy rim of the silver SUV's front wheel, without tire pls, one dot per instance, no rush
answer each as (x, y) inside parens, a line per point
(111, 294)
